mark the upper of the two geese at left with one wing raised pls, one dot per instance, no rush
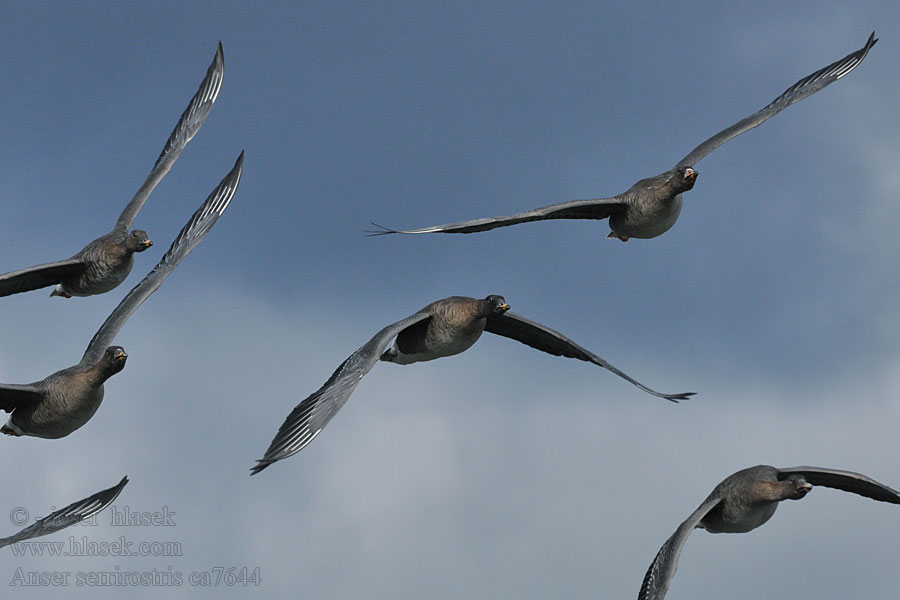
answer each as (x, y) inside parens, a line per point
(105, 262)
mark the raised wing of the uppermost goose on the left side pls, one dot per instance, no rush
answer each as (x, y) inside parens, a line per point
(188, 125)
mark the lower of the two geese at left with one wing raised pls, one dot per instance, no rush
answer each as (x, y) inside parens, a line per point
(64, 401)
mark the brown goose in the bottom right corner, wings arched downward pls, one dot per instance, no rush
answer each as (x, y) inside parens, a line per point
(746, 500)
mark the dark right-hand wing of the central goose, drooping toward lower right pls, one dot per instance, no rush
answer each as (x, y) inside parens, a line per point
(548, 340)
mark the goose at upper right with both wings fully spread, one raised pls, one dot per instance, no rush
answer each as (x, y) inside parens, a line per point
(651, 206)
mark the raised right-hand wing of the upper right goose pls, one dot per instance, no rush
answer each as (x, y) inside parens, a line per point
(800, 90)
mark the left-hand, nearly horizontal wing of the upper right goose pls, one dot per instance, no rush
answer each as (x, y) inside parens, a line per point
(598, 208)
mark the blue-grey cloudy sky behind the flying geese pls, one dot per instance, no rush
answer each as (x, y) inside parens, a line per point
(502, 472)
